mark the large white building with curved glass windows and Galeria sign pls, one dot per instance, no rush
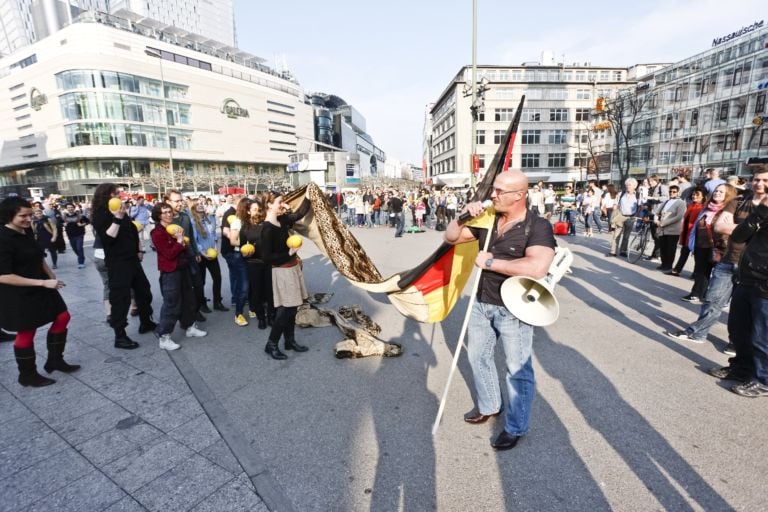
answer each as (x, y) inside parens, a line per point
(110, 98)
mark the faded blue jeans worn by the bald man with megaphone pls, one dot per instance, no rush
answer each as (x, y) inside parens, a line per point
(487, 324)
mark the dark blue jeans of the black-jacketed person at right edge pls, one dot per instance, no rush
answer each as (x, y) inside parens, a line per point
(748, 331)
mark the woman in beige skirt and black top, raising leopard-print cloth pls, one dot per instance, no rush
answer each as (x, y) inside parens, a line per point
(288, 288)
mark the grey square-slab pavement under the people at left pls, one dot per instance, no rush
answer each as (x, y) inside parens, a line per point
(124, 433)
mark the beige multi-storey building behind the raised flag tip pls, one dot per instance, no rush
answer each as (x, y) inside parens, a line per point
(553, 141)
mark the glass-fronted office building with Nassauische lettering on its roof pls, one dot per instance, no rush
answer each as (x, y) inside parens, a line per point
(708, 110)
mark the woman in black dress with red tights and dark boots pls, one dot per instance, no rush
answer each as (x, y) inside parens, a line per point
(29, 296)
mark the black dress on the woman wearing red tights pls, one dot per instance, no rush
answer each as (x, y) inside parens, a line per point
(24, 308)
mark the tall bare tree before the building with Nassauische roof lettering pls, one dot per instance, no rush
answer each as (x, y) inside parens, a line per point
(623, 113)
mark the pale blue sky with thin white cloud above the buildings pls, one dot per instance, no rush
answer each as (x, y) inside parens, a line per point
(390, 59)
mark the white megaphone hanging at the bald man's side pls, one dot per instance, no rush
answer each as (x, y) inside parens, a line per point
(533, 301)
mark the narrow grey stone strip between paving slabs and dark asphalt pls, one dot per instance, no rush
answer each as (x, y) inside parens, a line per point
(266, 486)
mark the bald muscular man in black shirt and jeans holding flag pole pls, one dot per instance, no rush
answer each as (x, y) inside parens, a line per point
(517, 244)
